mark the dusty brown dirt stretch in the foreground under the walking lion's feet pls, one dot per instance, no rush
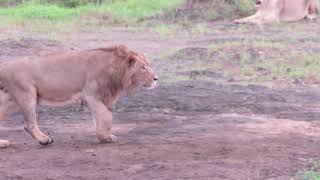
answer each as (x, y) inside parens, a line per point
(189, 131)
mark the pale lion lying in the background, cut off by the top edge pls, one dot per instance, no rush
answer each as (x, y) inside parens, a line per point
(282, 10)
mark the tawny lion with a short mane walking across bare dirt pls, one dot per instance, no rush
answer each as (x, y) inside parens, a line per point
(97, 77)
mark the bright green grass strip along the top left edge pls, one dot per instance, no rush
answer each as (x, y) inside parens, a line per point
(119, 9)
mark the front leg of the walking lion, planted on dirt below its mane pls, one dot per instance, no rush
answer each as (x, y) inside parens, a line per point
(103, 118)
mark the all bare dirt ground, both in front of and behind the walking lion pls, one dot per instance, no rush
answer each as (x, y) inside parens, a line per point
(196, 129)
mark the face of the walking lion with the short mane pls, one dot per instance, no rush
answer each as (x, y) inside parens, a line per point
(142, 75)
